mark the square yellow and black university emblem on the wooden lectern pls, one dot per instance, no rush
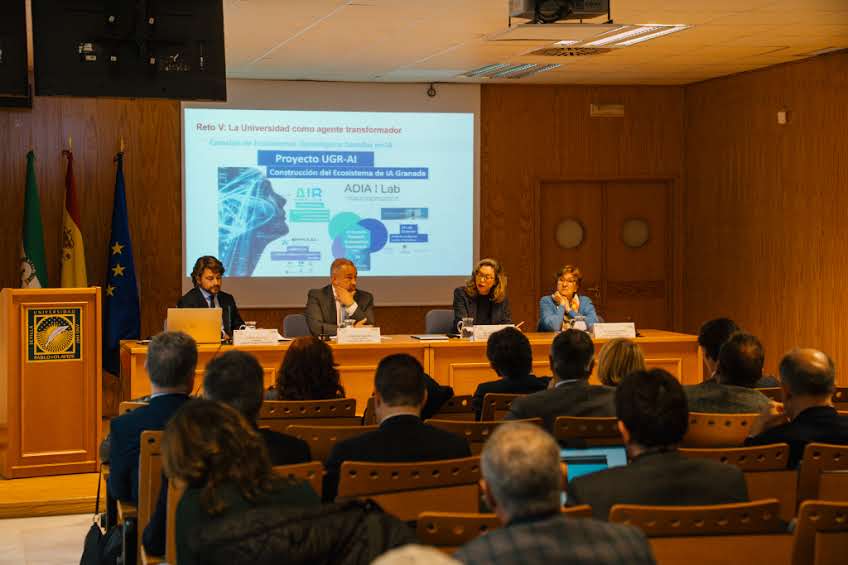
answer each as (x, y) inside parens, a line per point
(53, 333)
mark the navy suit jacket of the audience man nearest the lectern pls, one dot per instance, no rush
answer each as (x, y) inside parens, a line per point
(125, 431)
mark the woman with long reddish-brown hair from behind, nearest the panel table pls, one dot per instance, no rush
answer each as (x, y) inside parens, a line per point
(308, 372)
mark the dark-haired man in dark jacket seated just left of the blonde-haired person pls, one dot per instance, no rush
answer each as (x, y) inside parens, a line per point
(572, 358)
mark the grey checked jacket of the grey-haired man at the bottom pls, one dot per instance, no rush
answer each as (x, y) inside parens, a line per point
(558, 539)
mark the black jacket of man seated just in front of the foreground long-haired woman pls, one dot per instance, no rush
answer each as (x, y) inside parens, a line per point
(282, 449)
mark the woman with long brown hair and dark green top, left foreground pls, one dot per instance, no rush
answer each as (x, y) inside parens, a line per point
(221, 459)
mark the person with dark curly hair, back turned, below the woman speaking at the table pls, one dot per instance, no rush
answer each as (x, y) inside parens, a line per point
(511, 358)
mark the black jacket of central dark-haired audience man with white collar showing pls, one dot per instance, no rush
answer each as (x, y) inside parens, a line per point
(399, 439)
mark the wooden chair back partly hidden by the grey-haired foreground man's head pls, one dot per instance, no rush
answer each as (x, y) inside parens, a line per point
(449, 530)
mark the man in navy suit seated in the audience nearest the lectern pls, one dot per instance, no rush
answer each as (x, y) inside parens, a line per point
(171, 360)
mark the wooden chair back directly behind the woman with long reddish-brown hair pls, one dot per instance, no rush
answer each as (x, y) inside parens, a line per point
(280, 414)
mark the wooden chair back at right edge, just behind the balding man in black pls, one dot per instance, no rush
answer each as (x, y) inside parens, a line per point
(823, 473)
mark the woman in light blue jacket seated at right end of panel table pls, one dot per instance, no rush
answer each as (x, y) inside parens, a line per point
(557, 309)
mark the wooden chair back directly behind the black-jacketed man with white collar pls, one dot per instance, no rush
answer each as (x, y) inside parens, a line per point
(408, 489)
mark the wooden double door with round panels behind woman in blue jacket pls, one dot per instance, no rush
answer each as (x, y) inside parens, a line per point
(624, 250)
